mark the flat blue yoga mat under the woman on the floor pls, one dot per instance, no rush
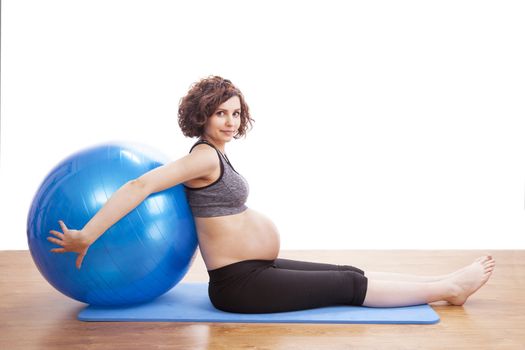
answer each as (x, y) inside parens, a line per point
(189, 302)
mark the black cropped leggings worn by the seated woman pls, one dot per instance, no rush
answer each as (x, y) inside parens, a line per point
(263, 286)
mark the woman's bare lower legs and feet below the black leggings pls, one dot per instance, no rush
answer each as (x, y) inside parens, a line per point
(455, 289)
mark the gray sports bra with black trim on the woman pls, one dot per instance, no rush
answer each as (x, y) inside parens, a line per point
(225, 196)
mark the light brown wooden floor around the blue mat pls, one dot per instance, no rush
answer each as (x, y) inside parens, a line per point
(35, 316)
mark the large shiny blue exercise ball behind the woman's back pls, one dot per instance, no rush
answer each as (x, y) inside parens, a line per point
(141, 257)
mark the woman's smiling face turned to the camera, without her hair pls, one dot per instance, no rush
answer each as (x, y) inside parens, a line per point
(222, 125)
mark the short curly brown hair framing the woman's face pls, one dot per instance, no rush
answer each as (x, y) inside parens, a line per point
(203, 99)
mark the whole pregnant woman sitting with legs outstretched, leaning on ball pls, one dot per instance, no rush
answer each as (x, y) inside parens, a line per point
(239, 245)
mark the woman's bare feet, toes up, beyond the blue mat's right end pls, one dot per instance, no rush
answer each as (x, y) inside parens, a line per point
(468, 280)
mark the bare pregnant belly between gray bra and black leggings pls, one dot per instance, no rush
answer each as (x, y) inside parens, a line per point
(228, 239)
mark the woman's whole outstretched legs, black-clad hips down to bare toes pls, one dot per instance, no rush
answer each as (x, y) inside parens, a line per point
(261, 287)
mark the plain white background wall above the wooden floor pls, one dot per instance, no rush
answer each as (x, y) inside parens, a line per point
(379, 124)
